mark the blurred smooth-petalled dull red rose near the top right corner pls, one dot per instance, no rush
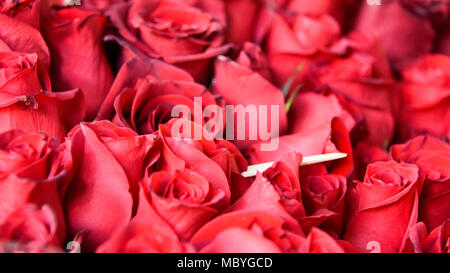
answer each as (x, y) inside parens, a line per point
(396, 25)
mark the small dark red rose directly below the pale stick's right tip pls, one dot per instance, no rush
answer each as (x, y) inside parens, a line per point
(323, 197)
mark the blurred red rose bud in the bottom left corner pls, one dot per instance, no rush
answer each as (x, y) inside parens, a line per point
(33, 228)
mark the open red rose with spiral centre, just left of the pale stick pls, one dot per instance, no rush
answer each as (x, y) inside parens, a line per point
(188, 181)
